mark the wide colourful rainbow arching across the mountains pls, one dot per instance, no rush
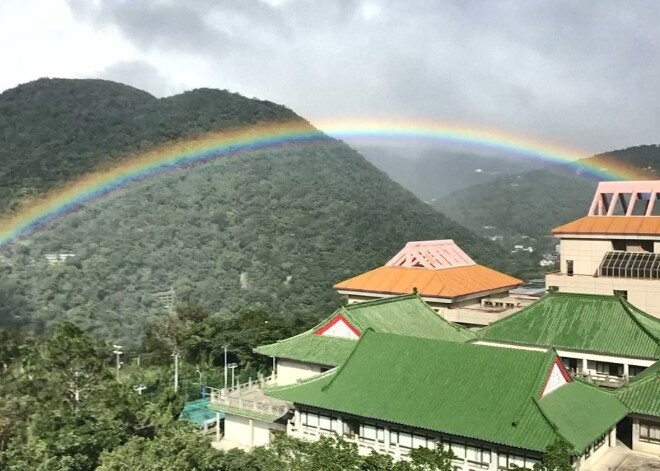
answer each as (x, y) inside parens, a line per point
(57, 203)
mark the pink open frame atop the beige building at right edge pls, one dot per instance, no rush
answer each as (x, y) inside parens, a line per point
(630, 194)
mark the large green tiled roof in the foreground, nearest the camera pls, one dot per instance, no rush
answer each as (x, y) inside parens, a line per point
(463, 389)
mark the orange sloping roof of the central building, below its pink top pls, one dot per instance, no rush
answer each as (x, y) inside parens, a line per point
(444, 283)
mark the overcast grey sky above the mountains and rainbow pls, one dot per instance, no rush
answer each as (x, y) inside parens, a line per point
(584, 73)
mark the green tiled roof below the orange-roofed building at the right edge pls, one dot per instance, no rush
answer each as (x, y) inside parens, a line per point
(601, 324)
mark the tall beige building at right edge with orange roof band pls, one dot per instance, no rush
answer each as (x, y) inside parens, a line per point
(615, 249)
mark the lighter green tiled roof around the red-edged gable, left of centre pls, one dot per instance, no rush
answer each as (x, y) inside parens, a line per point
(406, 315)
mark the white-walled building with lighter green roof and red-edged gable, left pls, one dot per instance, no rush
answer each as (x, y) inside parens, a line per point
(330, 342)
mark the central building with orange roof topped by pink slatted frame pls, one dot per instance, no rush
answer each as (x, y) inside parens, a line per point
(445, 277)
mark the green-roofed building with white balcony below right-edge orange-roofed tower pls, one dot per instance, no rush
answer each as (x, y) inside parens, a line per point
(604, 339)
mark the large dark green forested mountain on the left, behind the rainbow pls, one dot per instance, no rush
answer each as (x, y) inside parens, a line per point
(272, 229)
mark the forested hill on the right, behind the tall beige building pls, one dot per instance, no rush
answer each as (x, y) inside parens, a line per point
(530, 204)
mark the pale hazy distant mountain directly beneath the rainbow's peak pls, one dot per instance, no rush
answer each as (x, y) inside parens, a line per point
(435, 172)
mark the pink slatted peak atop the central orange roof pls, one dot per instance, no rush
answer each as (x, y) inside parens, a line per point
(432, 254)
